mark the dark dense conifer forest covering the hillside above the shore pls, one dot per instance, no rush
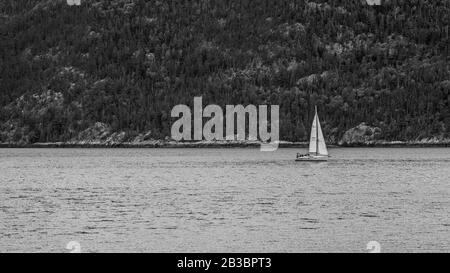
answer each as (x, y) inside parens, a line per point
(126, 63)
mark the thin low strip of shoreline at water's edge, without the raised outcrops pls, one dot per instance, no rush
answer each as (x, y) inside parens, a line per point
(169, 144)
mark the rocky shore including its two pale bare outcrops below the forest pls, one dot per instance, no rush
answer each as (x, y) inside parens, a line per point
(100, 135)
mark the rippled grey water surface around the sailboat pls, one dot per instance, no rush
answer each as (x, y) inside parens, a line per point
(224, 200)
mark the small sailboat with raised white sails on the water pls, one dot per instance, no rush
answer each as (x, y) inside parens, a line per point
(317, 147)
